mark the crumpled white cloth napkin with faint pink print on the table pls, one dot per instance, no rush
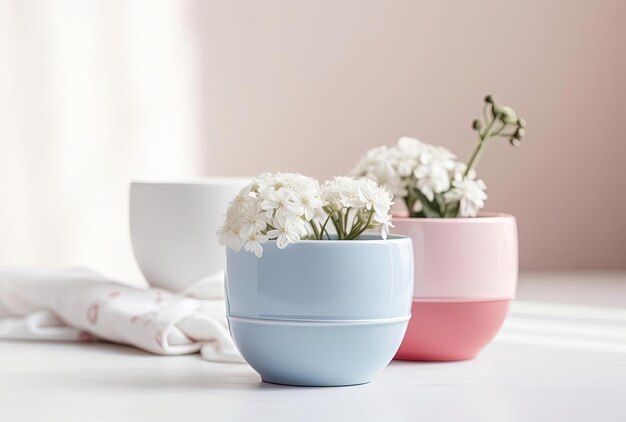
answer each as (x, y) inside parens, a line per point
(82, 305)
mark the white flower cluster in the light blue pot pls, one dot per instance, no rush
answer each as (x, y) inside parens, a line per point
(288, 207)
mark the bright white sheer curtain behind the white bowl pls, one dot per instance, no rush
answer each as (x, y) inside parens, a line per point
(92, 93)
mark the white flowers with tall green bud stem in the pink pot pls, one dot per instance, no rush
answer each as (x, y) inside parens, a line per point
(429, 178)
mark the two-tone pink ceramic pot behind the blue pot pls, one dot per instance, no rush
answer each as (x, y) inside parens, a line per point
(465, 278)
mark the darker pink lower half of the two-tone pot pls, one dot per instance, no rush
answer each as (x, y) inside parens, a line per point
(447, 331)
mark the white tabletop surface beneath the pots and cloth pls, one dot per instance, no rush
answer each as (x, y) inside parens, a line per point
(560, 356)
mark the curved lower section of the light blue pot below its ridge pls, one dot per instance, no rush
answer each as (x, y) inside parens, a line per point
(320, 355)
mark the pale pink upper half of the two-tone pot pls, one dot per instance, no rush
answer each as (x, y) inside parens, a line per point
(463, 259)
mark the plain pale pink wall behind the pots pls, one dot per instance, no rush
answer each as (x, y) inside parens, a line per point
(310, 85)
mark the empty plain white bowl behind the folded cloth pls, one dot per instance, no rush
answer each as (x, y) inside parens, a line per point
(173, 226)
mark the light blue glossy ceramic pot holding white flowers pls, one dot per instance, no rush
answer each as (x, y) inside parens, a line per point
(323, 312)
